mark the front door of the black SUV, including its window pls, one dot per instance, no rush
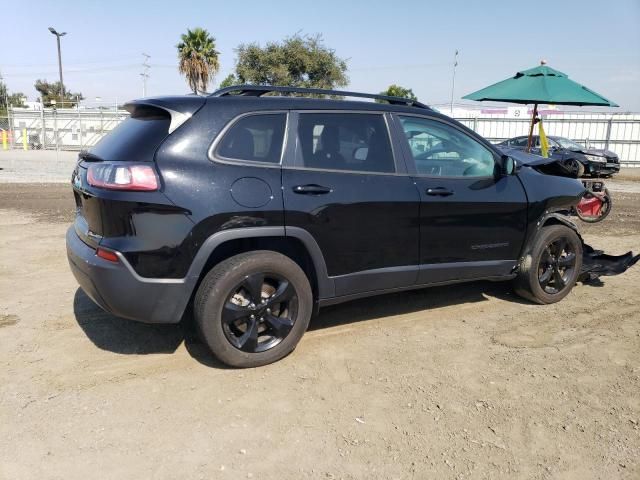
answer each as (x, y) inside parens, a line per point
(472, 220)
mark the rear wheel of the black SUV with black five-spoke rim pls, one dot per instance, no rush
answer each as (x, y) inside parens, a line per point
(239, 331)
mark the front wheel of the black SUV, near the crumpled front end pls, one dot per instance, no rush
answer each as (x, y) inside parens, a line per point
(548, 273)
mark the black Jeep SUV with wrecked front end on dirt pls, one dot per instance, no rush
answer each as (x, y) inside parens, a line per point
(257, 206)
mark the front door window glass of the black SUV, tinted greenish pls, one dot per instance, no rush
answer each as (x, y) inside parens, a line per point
(439, 149)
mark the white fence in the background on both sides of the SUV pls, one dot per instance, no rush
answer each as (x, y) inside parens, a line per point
(71, 129)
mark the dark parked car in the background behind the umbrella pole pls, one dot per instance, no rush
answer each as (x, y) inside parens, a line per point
(582, 161)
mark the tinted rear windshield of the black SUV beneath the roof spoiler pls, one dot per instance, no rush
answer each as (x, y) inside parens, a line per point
(135, 139)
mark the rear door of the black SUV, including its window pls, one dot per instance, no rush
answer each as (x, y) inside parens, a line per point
(342, 184)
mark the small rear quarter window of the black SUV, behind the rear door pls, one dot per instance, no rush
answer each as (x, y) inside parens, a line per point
(255, 138)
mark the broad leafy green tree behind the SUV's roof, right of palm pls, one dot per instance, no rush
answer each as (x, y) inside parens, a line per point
(299, 61)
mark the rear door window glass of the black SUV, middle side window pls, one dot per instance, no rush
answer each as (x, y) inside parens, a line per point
(344, 141)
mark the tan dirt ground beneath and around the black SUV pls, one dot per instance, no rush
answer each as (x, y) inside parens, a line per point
(454, 382)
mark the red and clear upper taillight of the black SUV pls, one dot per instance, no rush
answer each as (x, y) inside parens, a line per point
(119, 176)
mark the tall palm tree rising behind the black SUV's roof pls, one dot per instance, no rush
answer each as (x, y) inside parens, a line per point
(198, 58)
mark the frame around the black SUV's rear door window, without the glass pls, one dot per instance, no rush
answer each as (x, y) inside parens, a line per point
(293, 144)
